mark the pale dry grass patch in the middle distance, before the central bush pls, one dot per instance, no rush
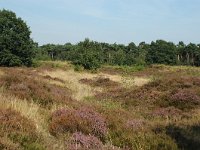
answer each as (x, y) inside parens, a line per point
(80, 91)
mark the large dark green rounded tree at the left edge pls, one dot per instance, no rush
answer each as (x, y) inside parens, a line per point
(16, 46)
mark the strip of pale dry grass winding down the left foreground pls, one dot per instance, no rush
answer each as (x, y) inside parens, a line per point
(33, 112)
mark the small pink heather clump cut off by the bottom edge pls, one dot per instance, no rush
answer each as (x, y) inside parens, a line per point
(80, 141)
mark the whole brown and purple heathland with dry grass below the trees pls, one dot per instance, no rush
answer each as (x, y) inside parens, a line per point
(51, 106)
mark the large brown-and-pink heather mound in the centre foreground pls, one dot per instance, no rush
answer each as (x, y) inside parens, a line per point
(84, 120)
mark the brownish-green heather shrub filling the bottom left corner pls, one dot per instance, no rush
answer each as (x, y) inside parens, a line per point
(17, 130)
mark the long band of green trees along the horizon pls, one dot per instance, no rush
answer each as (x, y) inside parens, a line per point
(92, 54)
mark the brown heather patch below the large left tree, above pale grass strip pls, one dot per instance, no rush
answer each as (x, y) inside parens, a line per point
(30, 86)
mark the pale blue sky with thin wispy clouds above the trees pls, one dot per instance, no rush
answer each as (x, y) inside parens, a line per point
(120, 21)
